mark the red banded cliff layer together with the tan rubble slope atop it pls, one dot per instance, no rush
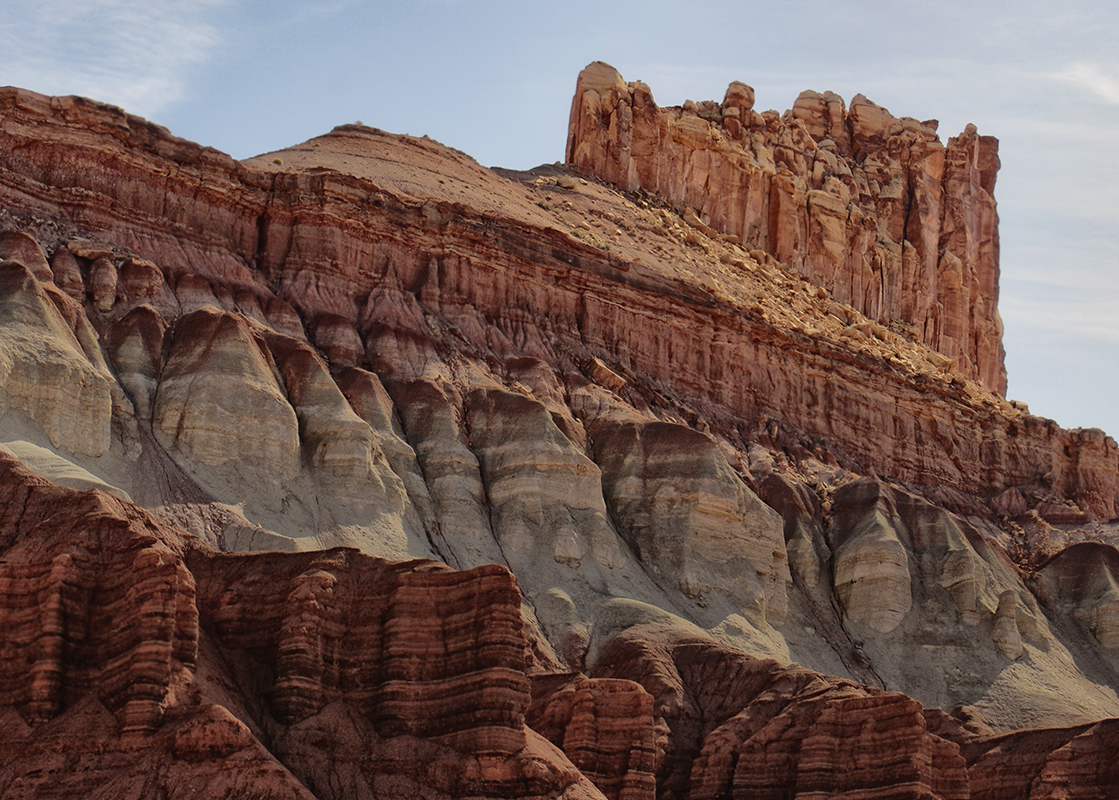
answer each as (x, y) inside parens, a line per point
(239, 239)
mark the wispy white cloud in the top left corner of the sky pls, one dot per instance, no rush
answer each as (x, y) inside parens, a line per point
(133, 53)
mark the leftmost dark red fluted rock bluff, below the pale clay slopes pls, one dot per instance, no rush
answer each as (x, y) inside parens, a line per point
(95, 605)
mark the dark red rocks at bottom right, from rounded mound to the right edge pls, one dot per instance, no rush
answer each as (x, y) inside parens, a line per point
(749, 729)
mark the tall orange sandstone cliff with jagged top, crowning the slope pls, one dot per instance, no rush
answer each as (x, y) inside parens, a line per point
(876, 210)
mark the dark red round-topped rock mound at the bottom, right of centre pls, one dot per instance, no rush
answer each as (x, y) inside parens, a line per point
(742, 728)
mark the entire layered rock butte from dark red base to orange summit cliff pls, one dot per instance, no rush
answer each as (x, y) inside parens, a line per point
(684, 470)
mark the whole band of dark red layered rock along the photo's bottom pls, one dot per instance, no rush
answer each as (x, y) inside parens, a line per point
(336, 675)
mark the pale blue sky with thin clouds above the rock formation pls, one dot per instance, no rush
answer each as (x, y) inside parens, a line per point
(495, 80)
